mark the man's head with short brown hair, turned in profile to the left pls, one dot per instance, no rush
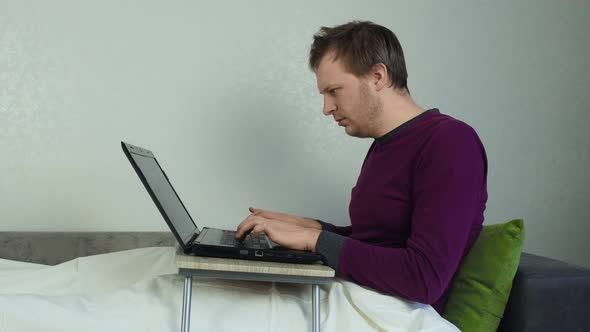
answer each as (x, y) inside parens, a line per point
(356, 64)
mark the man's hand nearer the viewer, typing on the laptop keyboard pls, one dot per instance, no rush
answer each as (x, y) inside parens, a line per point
(287, 234)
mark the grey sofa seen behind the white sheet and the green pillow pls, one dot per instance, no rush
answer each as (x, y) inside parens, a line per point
(547, 295)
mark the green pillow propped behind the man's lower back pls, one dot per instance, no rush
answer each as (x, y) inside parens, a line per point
(482, 284)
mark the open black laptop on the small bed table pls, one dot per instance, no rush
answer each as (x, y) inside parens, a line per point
(210, 242)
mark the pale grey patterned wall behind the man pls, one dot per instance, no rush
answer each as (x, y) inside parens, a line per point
(221, 92)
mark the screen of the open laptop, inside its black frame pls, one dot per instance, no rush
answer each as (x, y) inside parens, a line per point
(169, 201)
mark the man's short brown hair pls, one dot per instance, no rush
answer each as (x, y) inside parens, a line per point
(361, 45)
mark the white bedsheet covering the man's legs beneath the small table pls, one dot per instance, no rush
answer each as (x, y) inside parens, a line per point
(139, 290)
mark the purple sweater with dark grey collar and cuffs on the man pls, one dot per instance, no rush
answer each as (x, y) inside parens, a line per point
(415, 211)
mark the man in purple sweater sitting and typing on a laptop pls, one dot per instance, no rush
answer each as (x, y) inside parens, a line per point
(418, 203)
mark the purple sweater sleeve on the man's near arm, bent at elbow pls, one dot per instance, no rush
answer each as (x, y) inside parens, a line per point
(448, 185)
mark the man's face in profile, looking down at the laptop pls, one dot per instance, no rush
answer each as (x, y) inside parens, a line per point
(348, 98)
